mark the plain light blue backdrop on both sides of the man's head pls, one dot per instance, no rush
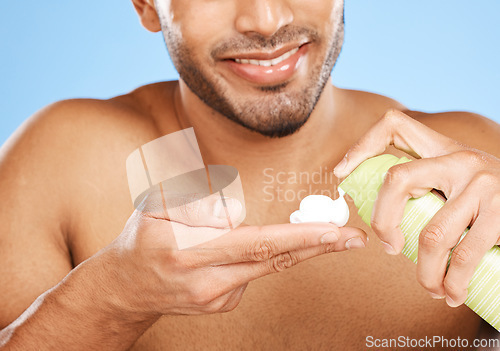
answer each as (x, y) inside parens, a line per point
(430, 55)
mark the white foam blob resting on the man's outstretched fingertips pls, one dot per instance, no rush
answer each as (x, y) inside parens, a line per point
(321, 208)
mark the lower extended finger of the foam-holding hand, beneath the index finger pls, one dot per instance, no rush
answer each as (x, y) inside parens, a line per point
(234, 275)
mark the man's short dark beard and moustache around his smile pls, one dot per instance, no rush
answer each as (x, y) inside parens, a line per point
(279, 113)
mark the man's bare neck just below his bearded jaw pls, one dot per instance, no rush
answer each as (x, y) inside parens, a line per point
(223, 141)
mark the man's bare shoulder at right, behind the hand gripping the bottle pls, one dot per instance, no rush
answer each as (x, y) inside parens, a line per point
(469, 128)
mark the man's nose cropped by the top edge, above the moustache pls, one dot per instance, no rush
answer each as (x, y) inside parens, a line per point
(264, 17)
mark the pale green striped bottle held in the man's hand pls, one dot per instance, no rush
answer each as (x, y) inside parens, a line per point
(363, 184)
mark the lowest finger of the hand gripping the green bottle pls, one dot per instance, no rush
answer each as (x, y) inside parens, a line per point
(466, 256)
